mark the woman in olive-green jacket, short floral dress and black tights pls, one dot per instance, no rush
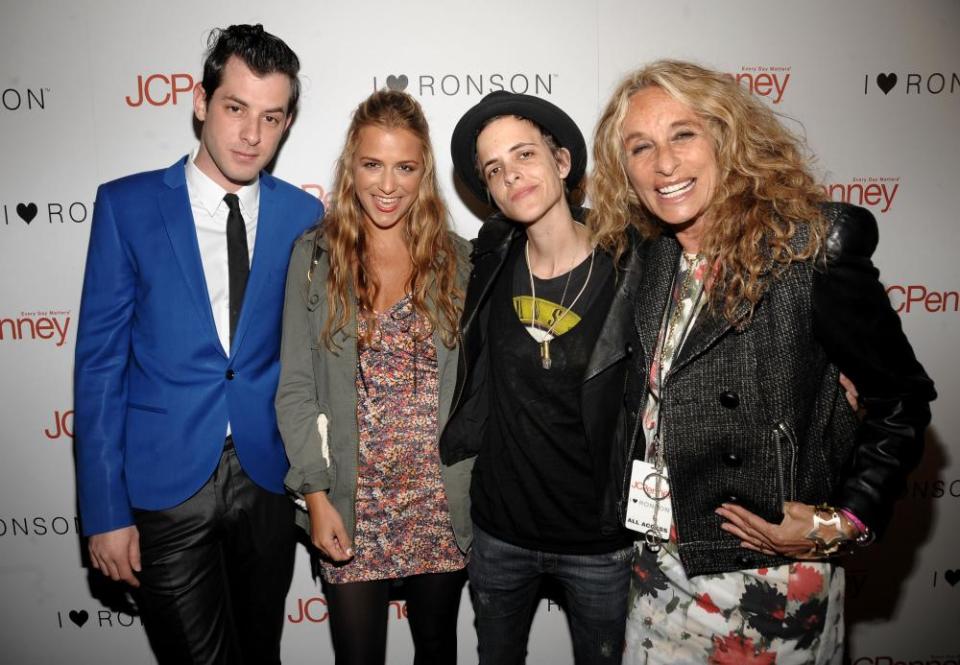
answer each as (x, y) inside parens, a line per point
(368, 365)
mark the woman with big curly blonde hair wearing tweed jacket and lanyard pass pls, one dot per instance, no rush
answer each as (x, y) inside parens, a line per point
(749, 469)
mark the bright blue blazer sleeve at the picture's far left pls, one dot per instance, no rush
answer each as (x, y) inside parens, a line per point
(100, 374)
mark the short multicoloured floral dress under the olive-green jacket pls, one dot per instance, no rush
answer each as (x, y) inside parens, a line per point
(402, 521)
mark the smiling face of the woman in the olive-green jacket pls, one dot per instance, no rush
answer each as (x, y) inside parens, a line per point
(387, 169)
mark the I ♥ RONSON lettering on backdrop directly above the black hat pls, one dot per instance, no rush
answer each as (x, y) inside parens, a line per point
(472, 84)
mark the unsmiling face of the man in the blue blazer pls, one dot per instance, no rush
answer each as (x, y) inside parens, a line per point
(243, 122)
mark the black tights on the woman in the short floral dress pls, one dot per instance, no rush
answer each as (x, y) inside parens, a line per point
(358, 618)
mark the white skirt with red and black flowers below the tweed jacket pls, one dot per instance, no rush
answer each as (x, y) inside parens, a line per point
(790, 614)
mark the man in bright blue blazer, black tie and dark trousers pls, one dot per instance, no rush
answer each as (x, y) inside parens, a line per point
(179, 463)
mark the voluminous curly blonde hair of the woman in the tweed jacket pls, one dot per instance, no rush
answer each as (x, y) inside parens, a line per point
(765, 193)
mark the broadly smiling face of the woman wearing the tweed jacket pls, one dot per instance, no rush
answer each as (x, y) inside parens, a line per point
(671, 162)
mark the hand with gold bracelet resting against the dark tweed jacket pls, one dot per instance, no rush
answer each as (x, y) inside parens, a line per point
(793, 537)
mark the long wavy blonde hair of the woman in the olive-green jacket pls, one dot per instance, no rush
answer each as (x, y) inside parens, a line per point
(426, 231)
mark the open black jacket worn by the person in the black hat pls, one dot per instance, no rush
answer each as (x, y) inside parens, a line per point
(606, 420)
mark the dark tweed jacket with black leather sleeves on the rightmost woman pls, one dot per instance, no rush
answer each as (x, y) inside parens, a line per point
(756, 416)
